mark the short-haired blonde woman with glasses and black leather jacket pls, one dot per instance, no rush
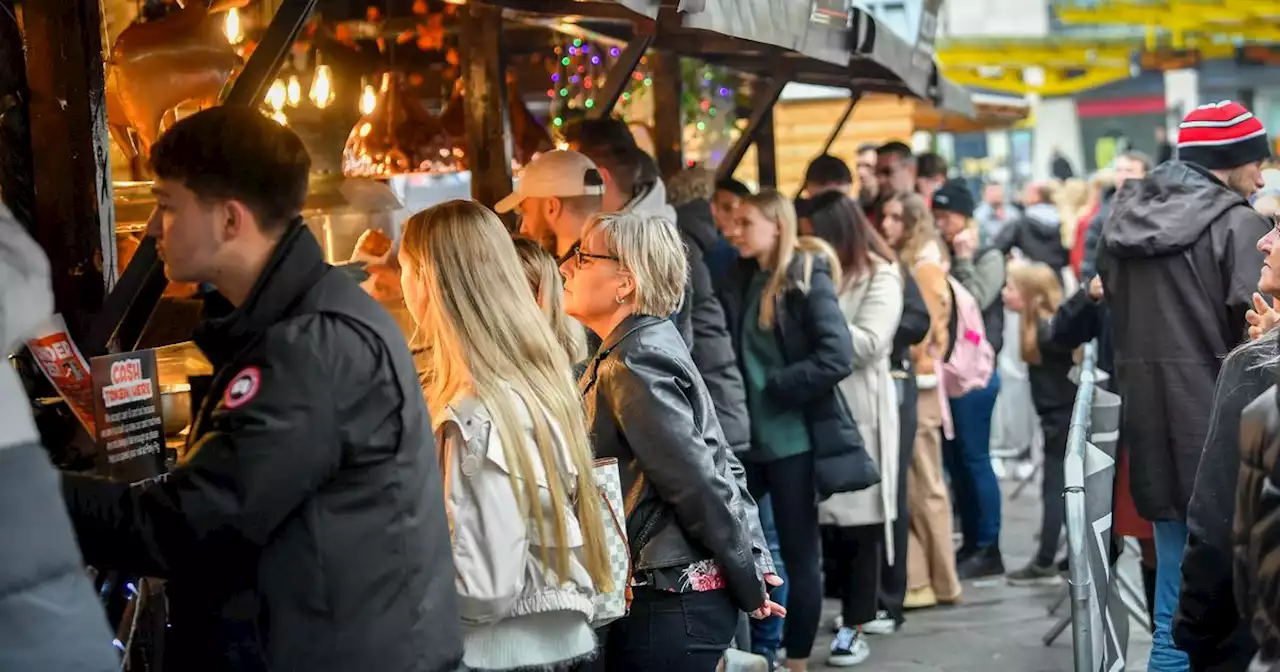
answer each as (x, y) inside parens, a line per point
(694, 568)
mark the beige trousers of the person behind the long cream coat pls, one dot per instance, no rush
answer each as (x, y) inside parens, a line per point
(931, 561)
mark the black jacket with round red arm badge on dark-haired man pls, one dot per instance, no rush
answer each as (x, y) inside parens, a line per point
(305, 528)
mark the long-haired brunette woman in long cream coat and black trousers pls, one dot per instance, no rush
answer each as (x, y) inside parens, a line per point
(861, 525)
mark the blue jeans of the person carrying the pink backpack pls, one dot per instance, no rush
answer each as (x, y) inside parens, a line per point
(968, 461)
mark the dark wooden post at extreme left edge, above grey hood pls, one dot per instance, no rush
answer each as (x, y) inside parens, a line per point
(16, 177)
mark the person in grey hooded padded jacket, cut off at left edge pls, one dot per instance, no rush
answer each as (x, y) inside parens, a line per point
(52, 619)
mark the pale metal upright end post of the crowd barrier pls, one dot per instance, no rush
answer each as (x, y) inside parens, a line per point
(1077, 518)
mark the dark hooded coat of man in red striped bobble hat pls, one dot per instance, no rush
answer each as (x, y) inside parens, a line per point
(1180, 264)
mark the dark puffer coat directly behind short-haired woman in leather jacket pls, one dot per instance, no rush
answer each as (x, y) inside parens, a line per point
(714, 348)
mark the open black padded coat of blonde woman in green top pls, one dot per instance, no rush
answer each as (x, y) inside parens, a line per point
(816, 342)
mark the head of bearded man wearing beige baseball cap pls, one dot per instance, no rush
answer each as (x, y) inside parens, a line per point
(557, 194)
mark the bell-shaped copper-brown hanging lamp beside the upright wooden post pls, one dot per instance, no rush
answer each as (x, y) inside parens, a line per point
(400, 136)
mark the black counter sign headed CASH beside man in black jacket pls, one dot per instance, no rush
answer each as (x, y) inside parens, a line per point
(127, 413)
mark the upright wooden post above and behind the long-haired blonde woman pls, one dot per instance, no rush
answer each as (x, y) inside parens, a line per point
(488, 125)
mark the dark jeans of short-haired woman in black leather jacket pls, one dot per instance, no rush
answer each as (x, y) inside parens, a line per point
(670, 633)
